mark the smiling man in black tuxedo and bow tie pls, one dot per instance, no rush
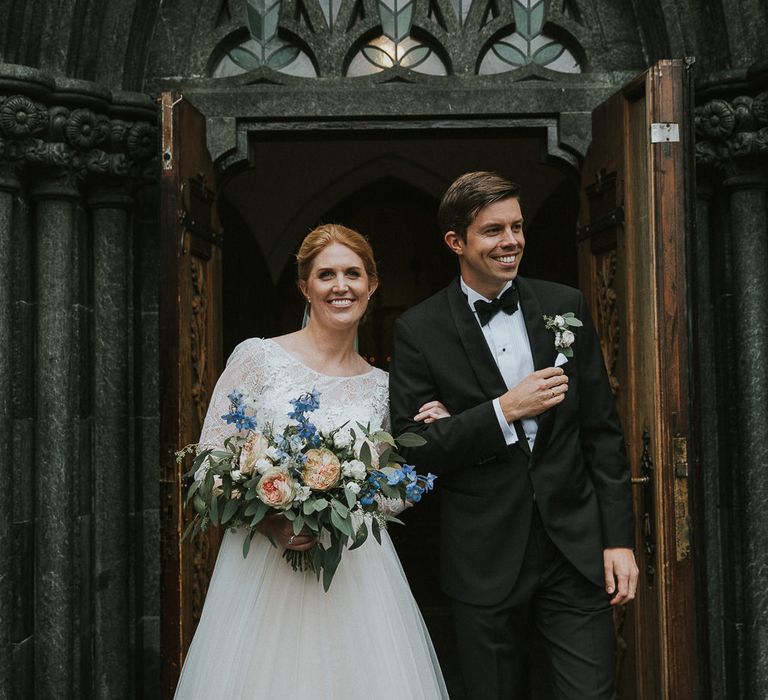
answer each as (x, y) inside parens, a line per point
(536, 509)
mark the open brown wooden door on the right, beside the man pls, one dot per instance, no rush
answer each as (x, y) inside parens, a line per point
(634, 217)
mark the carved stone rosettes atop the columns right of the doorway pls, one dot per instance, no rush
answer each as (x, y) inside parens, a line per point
(729, 132)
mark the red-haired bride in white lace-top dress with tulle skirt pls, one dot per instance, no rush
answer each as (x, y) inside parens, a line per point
(267, 631)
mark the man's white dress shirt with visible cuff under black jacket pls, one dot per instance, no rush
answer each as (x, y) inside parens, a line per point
(508, 342)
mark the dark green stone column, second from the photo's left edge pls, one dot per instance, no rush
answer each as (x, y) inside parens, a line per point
(55, 465)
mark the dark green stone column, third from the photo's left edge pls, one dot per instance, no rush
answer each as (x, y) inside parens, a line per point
(111, 222)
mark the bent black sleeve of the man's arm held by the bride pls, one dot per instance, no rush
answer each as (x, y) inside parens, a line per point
(453, 443)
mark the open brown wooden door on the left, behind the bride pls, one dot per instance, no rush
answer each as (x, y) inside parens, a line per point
(191, 361)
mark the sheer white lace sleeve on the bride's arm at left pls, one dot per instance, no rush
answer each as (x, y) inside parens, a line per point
(241, 372)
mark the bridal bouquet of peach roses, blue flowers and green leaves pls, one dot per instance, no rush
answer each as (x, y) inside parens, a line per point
(317, 480)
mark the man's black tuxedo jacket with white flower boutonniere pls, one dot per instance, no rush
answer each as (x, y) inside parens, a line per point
(577, 468)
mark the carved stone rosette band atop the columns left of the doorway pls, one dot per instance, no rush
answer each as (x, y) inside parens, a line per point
(77, 142)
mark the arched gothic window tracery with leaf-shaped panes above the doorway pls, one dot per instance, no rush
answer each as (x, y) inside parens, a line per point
(352, 38)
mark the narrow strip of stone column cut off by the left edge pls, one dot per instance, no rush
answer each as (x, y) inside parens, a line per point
(9, 186)
